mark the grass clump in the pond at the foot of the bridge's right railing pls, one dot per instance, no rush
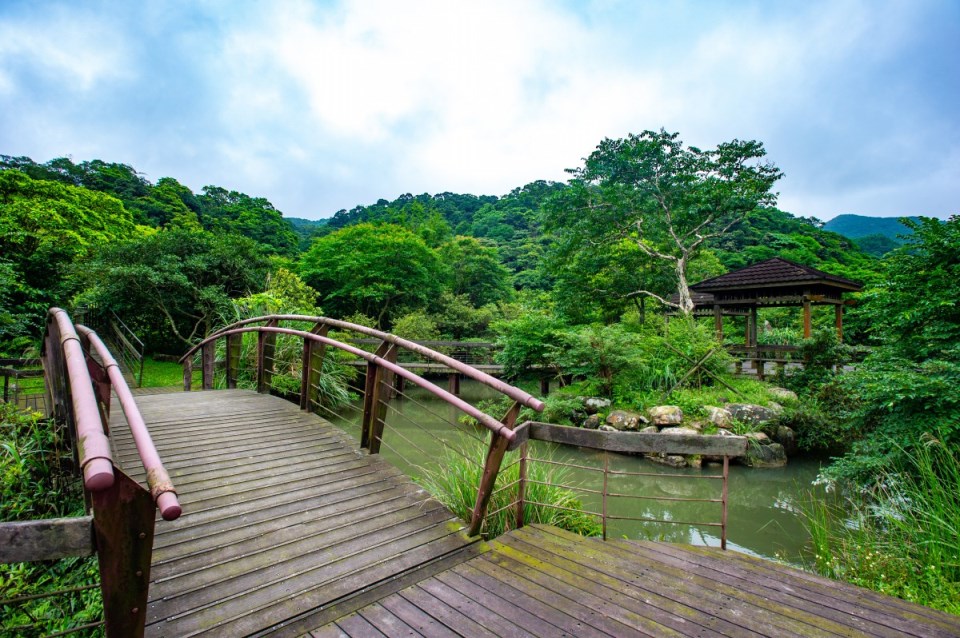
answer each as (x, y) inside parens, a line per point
(455, 481)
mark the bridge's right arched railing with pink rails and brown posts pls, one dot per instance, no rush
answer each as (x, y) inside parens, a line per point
(222, 354)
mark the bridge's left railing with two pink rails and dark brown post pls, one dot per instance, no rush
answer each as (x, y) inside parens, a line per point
(80, 375)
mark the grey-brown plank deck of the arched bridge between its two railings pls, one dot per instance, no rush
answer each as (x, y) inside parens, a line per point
(283, 516)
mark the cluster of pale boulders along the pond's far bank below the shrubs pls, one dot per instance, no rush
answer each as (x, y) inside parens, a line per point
(770, 444)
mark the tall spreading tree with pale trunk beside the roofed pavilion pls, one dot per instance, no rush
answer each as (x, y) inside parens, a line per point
(667, 198)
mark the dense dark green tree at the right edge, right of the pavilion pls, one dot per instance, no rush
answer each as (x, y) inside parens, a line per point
(905, 389)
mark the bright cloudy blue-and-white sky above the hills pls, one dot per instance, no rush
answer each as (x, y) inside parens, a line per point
(323, 105)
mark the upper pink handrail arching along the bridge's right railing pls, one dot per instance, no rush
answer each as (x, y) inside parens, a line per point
(514, 393)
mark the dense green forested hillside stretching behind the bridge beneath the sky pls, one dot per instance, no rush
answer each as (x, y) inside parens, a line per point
(171, 260)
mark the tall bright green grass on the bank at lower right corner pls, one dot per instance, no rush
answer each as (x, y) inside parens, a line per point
(900, 538)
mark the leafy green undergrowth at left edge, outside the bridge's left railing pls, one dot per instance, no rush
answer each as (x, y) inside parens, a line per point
(37, 483)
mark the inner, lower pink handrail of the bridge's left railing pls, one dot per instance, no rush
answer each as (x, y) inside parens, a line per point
(161, 487)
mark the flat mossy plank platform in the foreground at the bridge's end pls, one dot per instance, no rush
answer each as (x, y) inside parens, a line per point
(540, 581)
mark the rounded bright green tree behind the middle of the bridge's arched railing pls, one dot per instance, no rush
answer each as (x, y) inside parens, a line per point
(378, 270)
